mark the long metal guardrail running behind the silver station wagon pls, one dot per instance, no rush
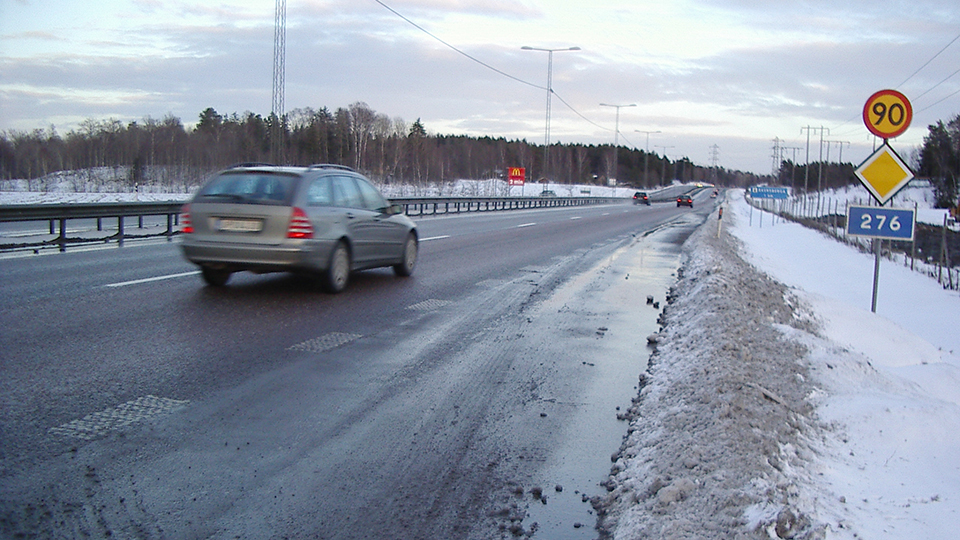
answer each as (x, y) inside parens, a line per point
(58, 214)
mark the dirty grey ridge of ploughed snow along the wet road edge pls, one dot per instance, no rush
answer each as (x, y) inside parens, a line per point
(722, 435)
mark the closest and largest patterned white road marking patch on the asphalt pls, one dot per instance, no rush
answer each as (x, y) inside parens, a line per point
(98, 424)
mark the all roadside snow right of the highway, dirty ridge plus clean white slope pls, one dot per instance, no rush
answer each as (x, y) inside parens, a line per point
(778, 406)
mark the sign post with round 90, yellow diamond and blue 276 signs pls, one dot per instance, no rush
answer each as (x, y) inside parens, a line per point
(887, 114)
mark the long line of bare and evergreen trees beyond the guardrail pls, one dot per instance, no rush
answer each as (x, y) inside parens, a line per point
(387, 149)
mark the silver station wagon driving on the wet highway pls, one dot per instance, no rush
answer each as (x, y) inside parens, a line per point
(324, 220)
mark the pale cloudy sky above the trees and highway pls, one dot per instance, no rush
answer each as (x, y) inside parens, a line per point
(733, 73)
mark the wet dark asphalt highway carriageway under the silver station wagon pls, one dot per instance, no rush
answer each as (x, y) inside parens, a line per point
(137, 403)
